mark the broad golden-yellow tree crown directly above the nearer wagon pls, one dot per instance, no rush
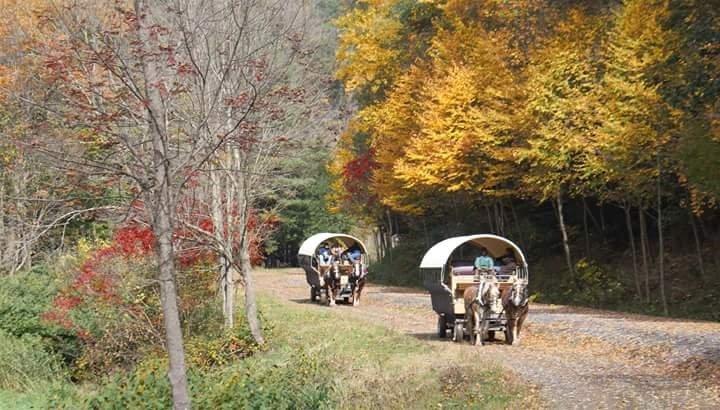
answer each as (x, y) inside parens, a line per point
(465, 120)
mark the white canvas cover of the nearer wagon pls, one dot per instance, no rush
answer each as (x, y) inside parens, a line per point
(438, 255)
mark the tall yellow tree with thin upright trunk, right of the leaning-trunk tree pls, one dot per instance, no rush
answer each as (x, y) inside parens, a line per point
(639, 123)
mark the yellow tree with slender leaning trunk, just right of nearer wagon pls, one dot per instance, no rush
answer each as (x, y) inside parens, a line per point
(562, 118)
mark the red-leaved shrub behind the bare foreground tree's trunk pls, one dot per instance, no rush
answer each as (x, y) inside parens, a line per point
(111, 301)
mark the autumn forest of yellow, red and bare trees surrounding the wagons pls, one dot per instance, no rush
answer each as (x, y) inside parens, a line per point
(152, 153)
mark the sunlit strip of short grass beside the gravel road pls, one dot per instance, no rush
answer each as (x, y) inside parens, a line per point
(371, 366)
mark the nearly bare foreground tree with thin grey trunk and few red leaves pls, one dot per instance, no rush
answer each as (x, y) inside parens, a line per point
(163, 86)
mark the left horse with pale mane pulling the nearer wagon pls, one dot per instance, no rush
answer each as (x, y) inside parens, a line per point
(480, 301)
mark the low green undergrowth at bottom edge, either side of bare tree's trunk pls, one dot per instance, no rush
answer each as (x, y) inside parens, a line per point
(296, 384)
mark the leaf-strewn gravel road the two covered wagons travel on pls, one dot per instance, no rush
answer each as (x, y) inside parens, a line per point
(574, 357)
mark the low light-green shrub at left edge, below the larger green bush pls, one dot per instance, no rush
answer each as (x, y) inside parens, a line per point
(25, 363)
